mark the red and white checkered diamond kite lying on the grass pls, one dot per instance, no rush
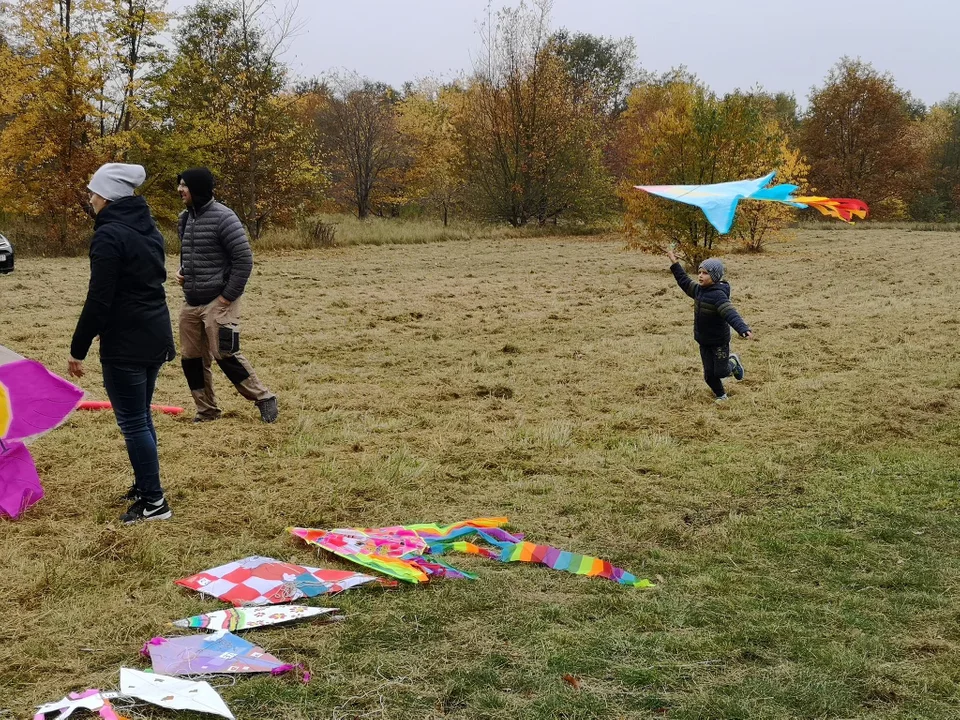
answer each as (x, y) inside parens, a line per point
(264, 581)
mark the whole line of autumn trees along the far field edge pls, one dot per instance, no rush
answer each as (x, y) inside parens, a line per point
(549, 126)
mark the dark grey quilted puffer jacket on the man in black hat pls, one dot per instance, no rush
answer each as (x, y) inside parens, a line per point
(215, 255)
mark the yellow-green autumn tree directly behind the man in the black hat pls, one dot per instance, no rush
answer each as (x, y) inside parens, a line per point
(227, 107)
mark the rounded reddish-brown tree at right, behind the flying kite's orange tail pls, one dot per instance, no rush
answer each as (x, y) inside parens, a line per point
(858, 136)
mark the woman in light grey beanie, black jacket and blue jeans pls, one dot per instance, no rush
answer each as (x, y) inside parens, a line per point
(126, 307)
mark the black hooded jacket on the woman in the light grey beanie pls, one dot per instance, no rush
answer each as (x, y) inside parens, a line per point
(126, 302)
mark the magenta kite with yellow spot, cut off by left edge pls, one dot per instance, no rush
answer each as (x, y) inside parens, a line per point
(33, 401)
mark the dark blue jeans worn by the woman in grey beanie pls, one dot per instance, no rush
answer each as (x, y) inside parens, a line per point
(130, 389)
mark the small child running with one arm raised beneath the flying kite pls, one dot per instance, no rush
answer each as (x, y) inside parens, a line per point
(713, 315)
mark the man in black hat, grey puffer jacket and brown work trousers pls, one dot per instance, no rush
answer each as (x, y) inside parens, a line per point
(215, 264)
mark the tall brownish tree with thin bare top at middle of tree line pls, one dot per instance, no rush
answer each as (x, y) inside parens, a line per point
(532, 151)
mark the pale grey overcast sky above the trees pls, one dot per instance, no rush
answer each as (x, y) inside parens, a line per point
(727, 43)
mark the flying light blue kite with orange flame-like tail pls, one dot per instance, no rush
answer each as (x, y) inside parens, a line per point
(719, 200)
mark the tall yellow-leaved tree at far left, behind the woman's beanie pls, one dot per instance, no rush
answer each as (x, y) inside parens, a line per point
(51, 92)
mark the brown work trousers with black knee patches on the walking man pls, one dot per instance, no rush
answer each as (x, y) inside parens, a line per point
(212, 332)
